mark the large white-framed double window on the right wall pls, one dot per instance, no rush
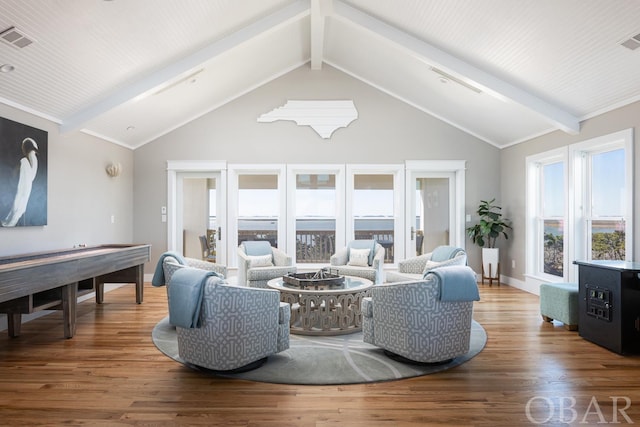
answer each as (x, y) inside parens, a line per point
(579, 206)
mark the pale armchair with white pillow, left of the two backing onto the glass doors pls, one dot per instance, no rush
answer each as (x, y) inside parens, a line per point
(259, 262)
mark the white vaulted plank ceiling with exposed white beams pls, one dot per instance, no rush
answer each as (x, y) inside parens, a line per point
(132, 70)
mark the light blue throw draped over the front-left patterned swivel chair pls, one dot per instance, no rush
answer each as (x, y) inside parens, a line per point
(186, 289)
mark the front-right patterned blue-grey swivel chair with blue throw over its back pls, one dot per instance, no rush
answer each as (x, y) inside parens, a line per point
(425, 321)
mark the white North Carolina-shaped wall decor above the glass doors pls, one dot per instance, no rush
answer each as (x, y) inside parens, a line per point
(325, 117)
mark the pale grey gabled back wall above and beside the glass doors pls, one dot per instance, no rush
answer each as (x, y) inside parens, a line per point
(386, 131)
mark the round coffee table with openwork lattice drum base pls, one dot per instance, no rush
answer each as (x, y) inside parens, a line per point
(331, 310)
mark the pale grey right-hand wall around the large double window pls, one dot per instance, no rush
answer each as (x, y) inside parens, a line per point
(513, 184)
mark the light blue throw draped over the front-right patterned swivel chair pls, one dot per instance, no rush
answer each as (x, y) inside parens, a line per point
(457, 283)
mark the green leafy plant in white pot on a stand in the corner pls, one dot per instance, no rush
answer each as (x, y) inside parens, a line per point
(485, 233)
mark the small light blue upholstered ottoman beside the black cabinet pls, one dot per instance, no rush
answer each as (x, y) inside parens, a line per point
(559, 301)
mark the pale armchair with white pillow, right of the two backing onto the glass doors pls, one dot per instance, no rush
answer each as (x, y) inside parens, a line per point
(371, 268)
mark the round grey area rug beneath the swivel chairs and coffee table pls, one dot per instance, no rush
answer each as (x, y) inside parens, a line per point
(342, 359)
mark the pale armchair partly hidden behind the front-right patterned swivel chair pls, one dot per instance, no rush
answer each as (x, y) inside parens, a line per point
(416, 267)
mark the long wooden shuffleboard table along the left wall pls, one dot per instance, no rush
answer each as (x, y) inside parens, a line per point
(53, 280)
